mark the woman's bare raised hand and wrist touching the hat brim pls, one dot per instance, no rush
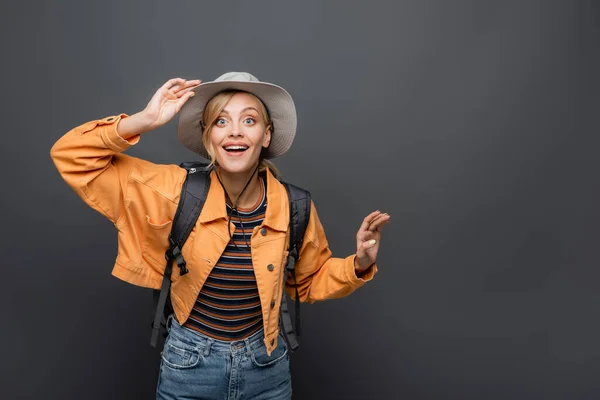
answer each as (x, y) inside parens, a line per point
(164, 105)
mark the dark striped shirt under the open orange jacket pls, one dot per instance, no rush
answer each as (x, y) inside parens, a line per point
(228, 306)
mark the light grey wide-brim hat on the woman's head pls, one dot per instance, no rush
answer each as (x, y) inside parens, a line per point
(277, 100)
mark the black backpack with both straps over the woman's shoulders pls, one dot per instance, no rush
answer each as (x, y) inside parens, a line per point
(193, 196)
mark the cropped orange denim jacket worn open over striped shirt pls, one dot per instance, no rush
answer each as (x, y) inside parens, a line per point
(140, 198)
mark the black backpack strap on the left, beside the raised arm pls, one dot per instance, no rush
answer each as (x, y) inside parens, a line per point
(192, 198)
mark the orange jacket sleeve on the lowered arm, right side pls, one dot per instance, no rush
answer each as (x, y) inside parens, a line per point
(319, 276)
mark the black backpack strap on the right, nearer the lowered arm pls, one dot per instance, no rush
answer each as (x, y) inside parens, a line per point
(300, 202)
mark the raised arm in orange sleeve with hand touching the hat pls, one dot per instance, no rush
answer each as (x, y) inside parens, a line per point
(89, 157)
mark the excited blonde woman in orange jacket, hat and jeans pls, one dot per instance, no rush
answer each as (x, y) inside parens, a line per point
(224, 341)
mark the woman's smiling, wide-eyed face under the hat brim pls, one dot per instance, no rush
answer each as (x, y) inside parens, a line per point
(237, 129)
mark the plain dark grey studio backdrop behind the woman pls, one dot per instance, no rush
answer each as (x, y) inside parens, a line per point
(473, 123)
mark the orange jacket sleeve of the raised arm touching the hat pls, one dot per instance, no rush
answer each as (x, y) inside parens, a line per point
(88, 158)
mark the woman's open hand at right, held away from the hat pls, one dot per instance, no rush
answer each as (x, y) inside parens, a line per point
(367, 240)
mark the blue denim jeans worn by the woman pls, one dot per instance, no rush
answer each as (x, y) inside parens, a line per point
(194, 366)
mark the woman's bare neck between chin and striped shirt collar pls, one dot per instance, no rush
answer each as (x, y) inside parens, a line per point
(234, 184)
